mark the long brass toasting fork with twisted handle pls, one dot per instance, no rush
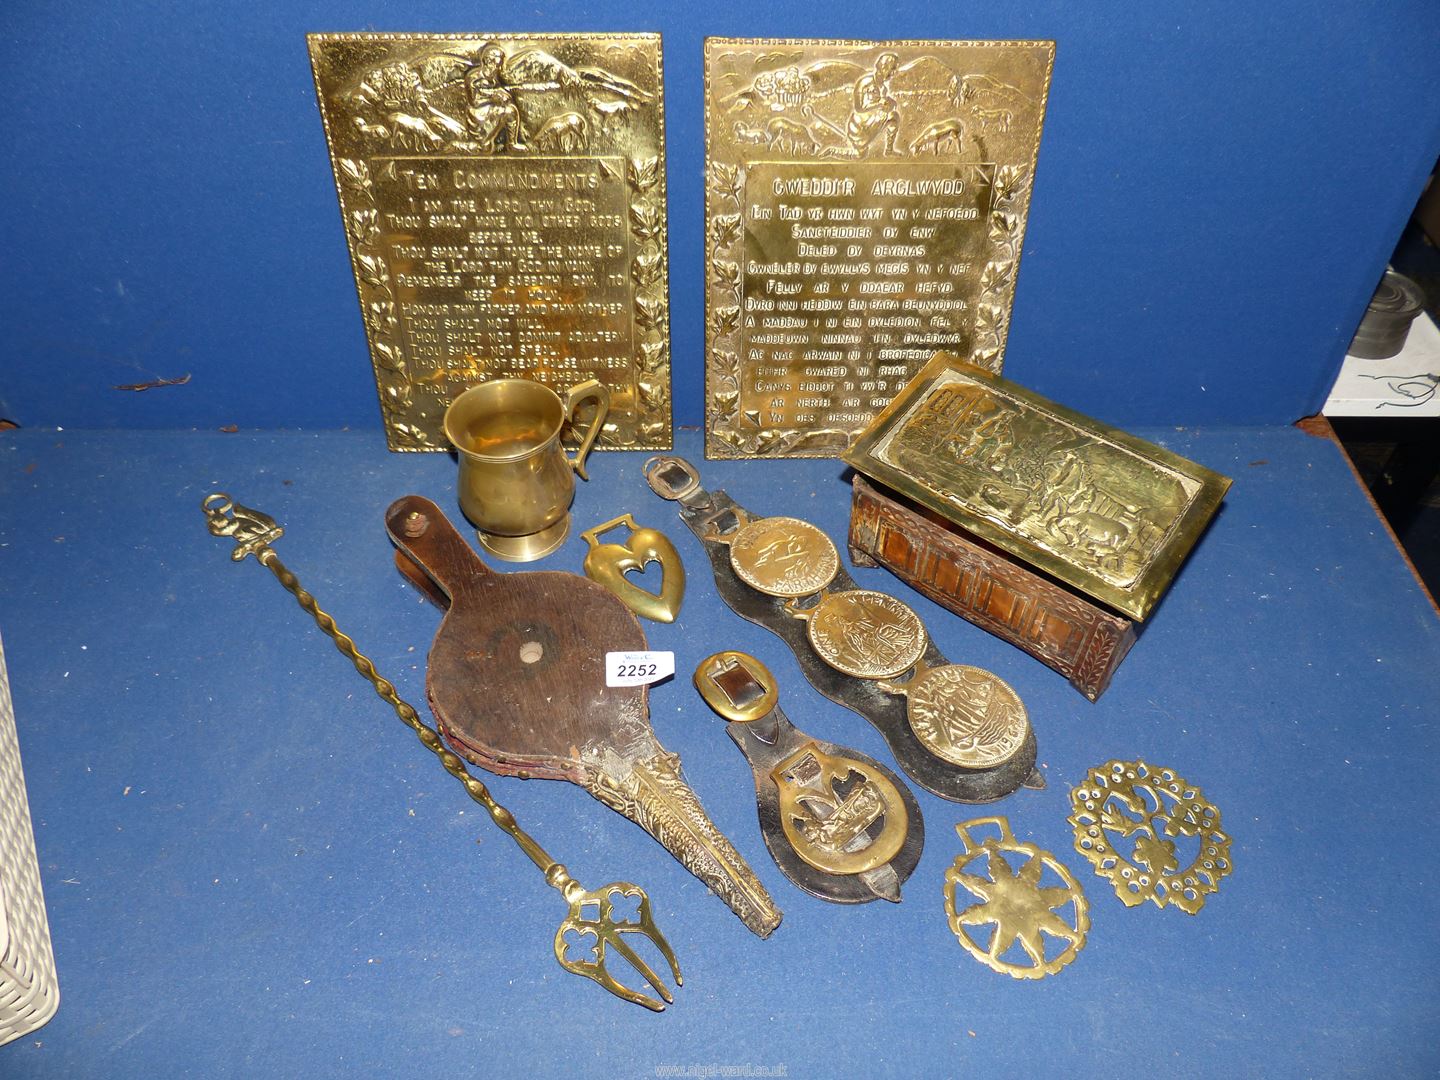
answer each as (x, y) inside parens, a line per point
(593, 911)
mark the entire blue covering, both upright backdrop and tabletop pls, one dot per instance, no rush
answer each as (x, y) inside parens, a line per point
(254, 870)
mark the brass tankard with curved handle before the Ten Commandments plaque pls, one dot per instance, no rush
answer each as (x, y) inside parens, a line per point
(516, 482)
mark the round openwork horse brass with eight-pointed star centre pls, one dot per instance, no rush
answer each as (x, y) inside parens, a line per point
(1033, 902)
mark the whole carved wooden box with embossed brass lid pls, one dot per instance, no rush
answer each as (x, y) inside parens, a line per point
(1048, 528)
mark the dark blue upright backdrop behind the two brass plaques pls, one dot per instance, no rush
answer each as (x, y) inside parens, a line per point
(1219, 188)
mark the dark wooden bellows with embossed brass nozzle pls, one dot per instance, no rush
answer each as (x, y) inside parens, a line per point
(516, 679)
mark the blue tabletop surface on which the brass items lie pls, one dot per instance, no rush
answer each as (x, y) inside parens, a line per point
(253, 869)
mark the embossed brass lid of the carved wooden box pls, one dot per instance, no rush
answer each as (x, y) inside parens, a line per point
(1104, 512)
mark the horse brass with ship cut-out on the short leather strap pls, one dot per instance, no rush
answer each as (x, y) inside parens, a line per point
(832, 806)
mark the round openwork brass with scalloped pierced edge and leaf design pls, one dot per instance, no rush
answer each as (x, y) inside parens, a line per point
(1151, 834)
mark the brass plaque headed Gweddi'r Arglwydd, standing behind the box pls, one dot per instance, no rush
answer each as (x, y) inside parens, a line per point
(866, 207)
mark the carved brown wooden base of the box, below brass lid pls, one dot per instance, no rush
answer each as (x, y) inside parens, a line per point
(1076, 637)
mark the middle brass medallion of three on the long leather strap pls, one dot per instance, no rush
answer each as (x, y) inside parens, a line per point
(865, 634)
